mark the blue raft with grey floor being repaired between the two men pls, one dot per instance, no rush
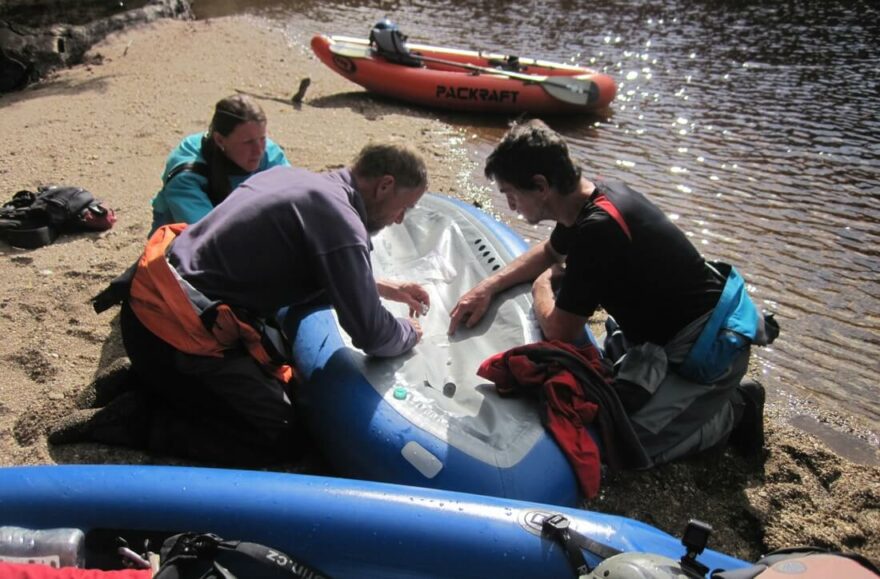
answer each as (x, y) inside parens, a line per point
(427, 419)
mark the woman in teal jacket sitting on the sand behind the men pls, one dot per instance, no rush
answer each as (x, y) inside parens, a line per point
(205, 167)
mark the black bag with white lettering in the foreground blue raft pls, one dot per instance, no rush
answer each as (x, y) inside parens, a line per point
(207, 556)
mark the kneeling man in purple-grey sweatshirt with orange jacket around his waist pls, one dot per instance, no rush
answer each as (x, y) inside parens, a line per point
(285, 237)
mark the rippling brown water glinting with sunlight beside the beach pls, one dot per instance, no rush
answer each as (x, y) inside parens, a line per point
(756, 125)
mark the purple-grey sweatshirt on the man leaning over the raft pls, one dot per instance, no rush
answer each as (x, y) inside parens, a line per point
(291, 237)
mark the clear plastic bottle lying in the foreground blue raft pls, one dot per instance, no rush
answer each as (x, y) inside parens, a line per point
(53, 547)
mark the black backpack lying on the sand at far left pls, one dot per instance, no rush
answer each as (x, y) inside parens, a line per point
(30, 220)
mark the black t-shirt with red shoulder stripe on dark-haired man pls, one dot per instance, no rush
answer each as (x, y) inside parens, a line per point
(641, 269)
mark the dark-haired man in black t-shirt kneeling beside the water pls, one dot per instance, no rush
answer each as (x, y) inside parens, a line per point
(612, 248)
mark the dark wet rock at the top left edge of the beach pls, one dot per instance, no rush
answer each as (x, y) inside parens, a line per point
(28, 52)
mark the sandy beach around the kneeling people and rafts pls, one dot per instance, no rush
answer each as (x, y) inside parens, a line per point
(108, 126)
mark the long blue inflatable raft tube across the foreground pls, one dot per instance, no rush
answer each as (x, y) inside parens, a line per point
(342, 528)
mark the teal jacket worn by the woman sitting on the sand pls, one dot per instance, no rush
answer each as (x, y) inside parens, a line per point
(184, 198)
